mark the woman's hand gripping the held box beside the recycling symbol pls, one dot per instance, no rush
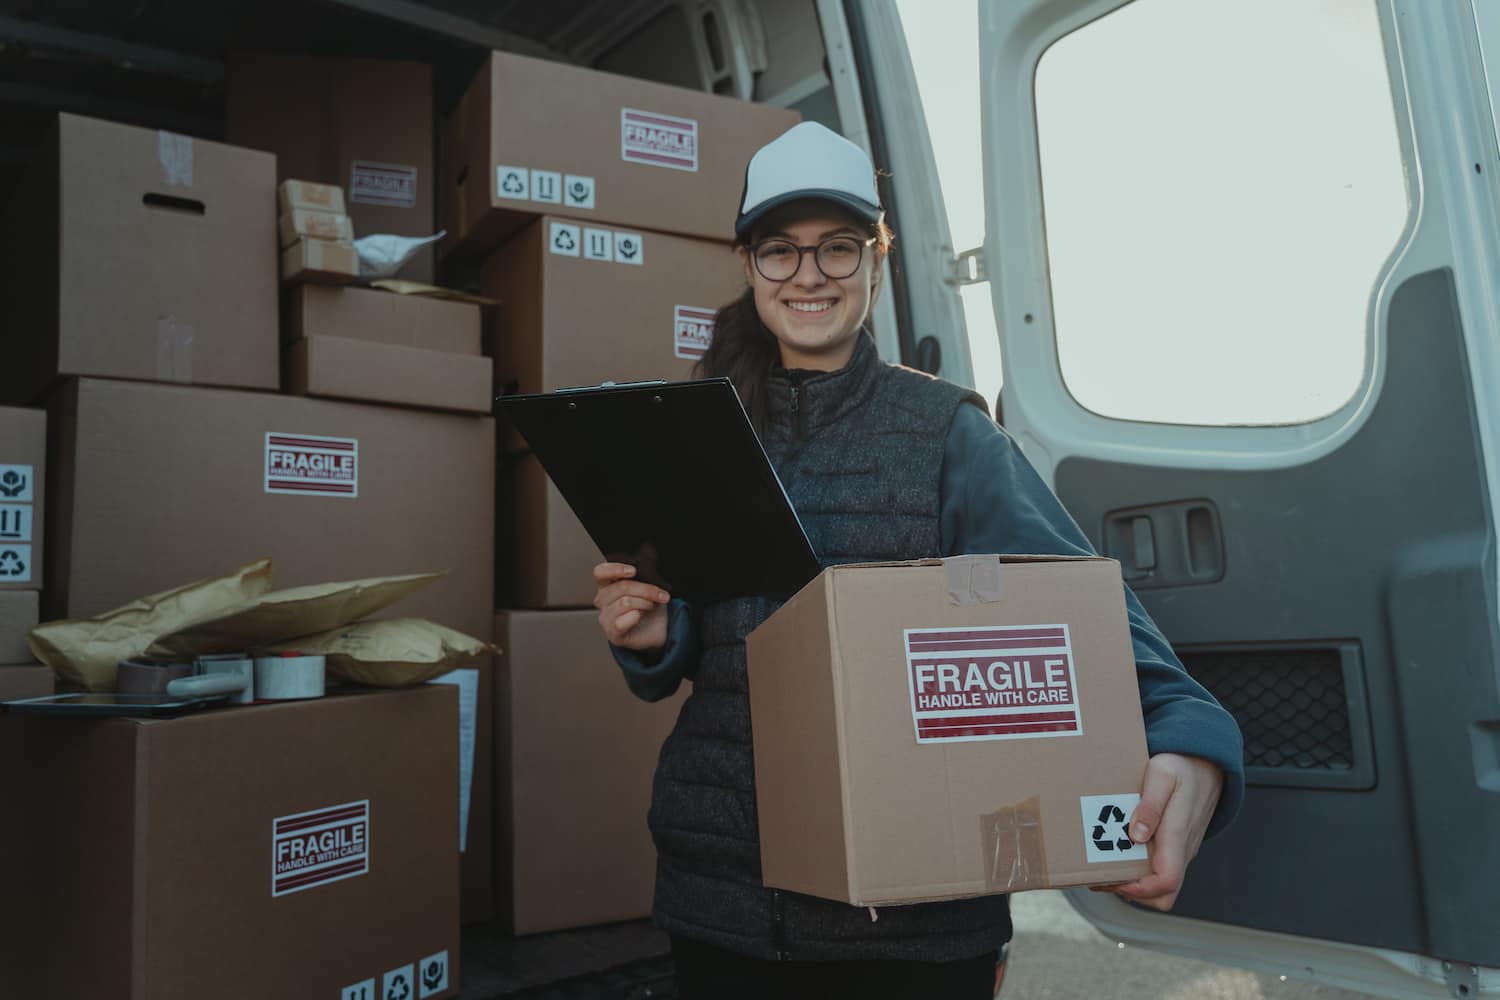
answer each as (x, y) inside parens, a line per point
(1177, 804)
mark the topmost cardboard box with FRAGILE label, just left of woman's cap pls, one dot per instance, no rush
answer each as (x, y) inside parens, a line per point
(595, 146)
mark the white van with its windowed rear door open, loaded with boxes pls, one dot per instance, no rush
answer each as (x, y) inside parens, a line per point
(1327, 566)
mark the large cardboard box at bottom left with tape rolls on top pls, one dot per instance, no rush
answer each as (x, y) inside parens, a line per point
(175, 864)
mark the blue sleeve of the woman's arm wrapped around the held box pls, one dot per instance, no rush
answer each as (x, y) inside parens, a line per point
(994, 501)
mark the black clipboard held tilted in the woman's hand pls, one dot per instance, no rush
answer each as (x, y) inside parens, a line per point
(671, 479)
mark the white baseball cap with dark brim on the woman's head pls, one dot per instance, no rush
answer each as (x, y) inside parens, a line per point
(809, 161)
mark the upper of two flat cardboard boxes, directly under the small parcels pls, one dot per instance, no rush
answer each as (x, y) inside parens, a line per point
(380, 317)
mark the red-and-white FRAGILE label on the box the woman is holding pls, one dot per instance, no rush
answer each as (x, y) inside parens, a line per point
(992, 683)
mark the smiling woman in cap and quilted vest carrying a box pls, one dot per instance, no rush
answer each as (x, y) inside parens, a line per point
(883, 464)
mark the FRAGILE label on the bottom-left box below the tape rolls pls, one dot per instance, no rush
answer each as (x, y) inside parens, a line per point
(314, 849)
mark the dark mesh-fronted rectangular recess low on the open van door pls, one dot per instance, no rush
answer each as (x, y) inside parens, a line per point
(1291, 705)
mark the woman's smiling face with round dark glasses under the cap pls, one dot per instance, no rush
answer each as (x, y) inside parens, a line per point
(815, 319)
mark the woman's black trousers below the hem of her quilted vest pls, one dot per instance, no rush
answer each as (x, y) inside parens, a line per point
(713, 974)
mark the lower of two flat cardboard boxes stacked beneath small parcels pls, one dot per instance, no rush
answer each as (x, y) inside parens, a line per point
(338, 368)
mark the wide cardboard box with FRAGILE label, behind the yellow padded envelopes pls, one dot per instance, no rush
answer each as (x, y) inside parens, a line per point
(412, 491)
